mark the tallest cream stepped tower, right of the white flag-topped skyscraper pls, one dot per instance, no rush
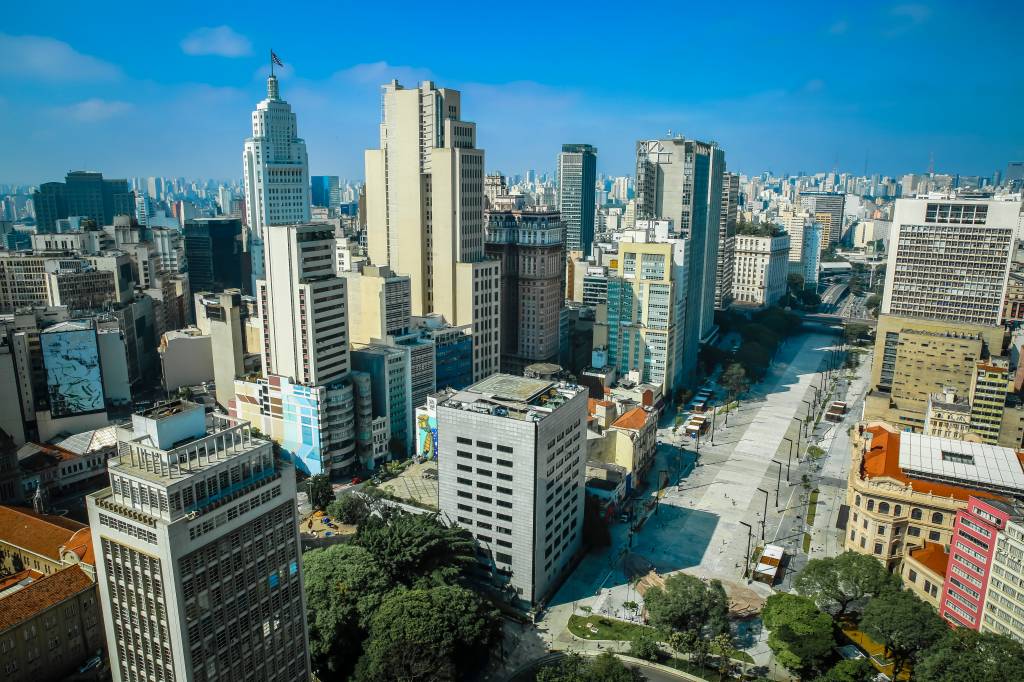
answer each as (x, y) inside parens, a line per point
(425, 212)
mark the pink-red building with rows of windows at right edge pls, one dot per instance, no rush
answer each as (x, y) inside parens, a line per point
(971, 550)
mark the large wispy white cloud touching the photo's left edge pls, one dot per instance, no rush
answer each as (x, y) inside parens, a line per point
(51, 60)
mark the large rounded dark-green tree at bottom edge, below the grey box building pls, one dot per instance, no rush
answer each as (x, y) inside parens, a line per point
(441, 633)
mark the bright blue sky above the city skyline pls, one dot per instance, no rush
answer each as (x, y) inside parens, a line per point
(167, 89)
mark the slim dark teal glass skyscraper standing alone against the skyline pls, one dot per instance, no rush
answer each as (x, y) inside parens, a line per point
(577, 177)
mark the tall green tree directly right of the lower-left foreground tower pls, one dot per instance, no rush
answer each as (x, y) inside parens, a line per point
(344, 586)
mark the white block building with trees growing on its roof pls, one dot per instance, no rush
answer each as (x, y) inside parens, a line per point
(761, 270)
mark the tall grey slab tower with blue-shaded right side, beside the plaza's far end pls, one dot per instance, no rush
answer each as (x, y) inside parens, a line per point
(681, 181)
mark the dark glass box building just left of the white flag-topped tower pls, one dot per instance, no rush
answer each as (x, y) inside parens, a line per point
(217, 255)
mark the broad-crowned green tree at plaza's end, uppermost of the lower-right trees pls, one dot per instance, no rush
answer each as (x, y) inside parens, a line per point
(839, 583)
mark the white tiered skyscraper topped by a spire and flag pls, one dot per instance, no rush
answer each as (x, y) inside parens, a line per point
(276, 172)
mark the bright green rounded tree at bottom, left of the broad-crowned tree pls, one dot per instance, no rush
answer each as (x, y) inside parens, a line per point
(801, 636)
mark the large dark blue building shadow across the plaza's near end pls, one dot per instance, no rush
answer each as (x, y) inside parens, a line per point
(671, 540)
